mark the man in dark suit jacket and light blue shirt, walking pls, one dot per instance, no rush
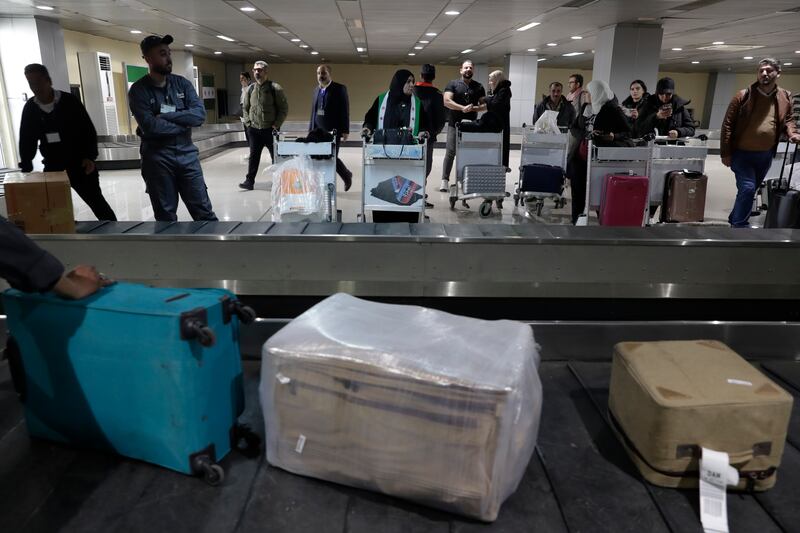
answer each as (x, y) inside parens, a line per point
(330, 110)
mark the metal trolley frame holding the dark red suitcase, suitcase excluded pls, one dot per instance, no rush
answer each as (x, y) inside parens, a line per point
(603, 161)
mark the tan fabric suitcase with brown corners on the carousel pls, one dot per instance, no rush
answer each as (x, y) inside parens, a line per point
(668, 400)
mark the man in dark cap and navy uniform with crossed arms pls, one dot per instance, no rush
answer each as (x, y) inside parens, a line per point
(166, 108)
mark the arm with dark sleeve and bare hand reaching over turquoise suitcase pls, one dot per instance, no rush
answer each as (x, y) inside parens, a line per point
(28, 268)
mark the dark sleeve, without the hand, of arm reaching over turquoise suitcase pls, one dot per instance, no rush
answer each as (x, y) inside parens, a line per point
(23, 264)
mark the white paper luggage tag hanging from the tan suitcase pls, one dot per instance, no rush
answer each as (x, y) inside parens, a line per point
(715, 474)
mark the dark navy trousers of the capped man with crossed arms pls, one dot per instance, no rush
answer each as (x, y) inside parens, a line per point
(167, 177)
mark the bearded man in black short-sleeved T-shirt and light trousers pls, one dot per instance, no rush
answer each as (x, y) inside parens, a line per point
(464, 99)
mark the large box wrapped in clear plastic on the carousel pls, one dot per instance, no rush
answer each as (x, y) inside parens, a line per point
(416, 403)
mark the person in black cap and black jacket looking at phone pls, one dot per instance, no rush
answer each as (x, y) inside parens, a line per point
(666, 112)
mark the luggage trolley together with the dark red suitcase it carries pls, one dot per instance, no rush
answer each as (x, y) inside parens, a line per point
(617, 185)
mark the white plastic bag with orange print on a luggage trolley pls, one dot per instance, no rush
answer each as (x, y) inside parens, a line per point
(298, 193)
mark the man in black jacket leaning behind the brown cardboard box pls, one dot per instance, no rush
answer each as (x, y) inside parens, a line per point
(60, 125)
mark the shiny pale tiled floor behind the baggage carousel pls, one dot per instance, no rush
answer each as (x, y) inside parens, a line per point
(124, 190)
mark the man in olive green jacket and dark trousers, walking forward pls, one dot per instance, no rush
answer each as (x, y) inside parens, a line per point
(264, 110)
